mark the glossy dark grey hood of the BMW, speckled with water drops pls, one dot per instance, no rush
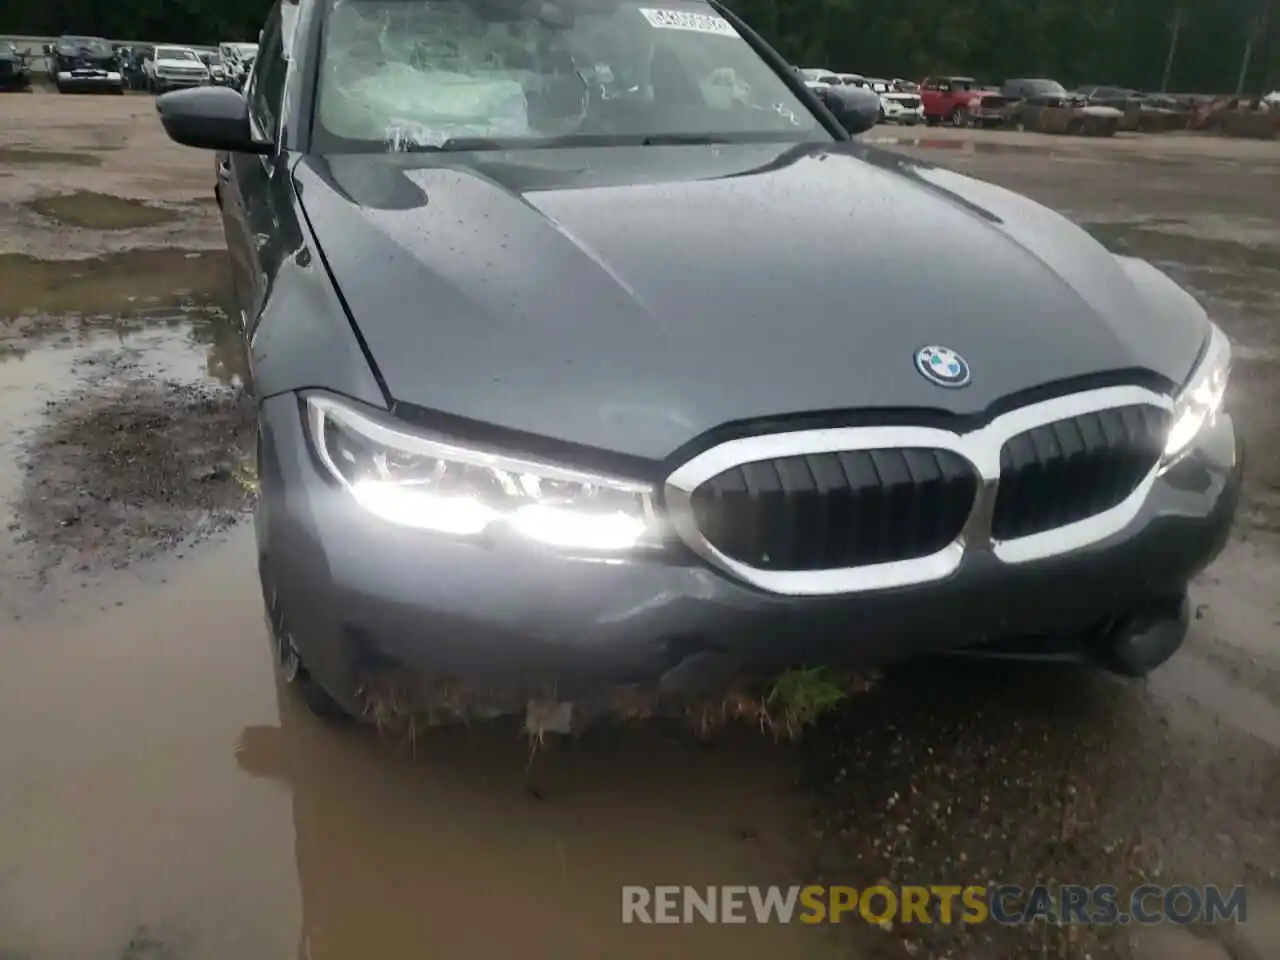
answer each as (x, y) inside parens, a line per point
(632, 299)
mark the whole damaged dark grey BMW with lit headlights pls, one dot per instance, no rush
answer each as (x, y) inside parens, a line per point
(483, 488)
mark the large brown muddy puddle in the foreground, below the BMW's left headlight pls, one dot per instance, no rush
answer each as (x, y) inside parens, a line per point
(243, 828)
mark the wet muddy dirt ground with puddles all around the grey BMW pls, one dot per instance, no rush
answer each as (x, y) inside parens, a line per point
(162, 801)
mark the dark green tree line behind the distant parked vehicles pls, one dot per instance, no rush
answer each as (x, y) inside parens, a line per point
(1181, 45)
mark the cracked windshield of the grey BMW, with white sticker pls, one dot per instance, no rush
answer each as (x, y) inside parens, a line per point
(414, 75)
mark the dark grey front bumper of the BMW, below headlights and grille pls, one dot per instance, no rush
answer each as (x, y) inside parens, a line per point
(360, 593)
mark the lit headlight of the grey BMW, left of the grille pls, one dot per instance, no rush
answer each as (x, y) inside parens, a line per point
(429, 484)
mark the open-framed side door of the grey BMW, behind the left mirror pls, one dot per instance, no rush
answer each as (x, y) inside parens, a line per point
(246, 184)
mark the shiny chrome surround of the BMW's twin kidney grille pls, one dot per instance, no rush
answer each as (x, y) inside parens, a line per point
(981, 447)
